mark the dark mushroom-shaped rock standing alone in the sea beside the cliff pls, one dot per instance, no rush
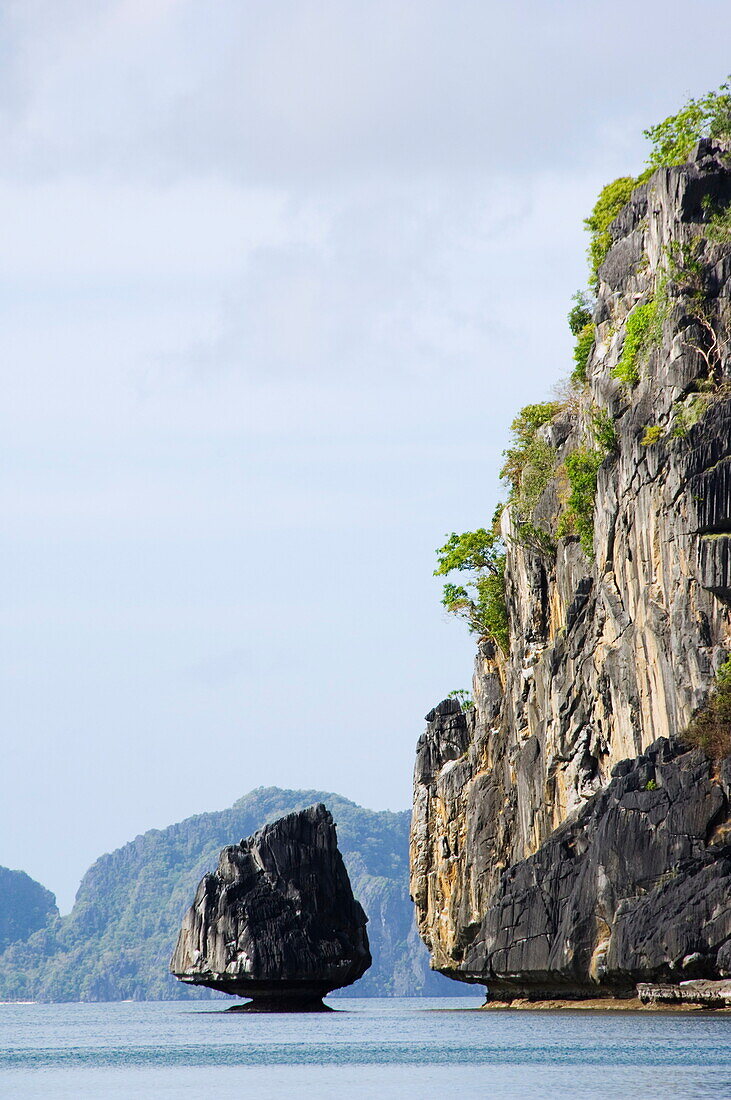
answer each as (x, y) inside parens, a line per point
(278, 921)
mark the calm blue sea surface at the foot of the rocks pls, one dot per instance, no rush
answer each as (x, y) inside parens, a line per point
(381, 1049)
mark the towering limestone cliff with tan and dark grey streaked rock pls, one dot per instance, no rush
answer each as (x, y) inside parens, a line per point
(528, 860)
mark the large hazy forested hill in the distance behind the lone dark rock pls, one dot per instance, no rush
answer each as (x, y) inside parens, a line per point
(118, 940)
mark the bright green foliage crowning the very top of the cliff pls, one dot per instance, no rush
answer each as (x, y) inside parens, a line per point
(673, 139)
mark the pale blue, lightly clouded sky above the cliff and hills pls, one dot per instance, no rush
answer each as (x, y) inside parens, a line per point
(274, 281)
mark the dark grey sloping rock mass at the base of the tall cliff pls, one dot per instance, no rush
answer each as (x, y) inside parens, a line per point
(636, 888)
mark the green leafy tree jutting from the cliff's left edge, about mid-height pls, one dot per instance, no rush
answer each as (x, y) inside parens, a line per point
(481, 602)
